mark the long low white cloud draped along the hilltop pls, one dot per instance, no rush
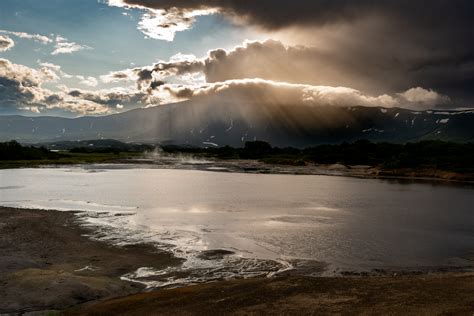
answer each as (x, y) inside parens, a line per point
(267, 92)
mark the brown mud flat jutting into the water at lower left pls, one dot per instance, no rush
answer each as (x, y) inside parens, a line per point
(47, 262)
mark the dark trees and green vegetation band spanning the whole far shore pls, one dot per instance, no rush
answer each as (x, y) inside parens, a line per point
(426, 159)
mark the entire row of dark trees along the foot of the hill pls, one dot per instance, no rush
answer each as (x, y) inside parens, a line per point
(449, 156)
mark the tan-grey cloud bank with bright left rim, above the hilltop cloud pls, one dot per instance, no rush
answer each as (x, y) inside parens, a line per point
(271, 60)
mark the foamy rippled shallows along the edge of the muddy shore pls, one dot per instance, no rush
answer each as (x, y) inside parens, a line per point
(198, 266)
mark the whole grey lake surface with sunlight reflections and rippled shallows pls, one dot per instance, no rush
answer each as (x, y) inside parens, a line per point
(268, 222)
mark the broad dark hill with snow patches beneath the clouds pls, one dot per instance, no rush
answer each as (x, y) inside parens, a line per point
(219, 124)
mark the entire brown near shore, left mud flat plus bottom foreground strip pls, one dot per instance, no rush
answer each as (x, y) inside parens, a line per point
(48, 264)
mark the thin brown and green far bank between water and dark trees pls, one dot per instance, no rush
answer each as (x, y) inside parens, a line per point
(255, 166)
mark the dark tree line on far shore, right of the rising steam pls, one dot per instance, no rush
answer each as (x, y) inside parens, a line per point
(430, 154)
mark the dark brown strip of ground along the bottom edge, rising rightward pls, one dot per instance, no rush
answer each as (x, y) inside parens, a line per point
(406, 295)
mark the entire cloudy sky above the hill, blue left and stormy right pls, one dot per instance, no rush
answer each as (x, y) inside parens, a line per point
(96, 57)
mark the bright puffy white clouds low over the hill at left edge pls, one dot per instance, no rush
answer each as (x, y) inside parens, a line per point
(22, 89)
